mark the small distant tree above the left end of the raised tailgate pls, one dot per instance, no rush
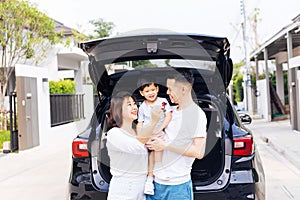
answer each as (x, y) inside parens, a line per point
(101, 28)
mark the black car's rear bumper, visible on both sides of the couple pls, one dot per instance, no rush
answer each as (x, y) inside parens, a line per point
(241, 187)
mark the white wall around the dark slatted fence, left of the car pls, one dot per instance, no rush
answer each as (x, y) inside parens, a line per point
(46, 132)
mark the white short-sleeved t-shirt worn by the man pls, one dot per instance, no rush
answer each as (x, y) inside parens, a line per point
(185, 125)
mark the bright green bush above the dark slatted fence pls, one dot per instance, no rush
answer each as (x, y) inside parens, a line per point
(62, 87)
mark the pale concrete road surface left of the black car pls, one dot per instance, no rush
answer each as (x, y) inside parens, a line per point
(40, 173)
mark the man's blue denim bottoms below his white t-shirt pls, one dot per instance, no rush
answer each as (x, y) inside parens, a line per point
(183, 191)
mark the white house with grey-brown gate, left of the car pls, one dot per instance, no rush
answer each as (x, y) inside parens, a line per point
(34, 105)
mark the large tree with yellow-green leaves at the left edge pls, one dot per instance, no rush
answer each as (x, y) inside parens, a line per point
(25, 33)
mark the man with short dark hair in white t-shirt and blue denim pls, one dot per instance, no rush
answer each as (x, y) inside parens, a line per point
(187, 139)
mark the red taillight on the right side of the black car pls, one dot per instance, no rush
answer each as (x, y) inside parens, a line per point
(243, 146)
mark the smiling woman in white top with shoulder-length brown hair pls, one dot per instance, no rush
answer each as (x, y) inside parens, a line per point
(126, 149)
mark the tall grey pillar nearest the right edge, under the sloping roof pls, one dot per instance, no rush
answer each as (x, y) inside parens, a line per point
(292, 85)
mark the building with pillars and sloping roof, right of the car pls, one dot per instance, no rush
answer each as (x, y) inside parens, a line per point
(284, 49)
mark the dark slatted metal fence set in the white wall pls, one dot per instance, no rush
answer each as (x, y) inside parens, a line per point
(66, 108)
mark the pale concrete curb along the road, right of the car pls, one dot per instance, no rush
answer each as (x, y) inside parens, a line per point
(290, 156)
